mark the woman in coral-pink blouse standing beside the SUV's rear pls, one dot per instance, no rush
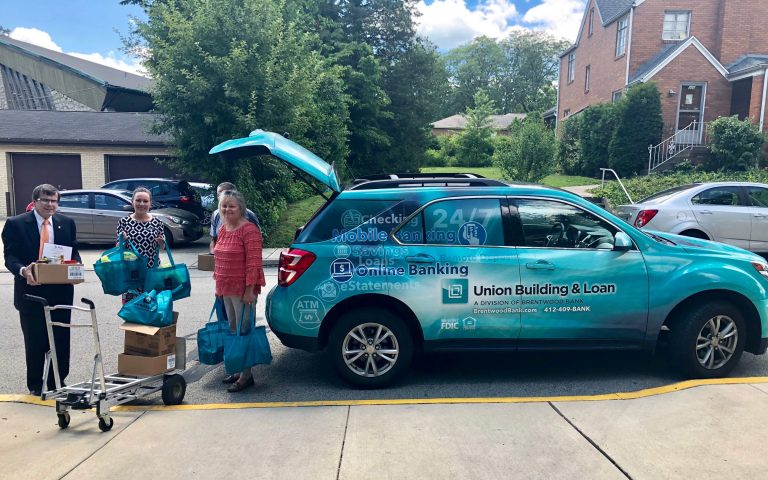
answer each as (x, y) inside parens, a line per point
(238, 269)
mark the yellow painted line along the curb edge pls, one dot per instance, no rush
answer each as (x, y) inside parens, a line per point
(648, 392)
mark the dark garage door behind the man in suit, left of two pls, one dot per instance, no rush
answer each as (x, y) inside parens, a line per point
(32, 169)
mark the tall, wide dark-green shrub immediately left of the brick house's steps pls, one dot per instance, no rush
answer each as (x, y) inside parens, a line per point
(638, 125)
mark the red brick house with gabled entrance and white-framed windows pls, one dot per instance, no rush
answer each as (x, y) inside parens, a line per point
(709, 58)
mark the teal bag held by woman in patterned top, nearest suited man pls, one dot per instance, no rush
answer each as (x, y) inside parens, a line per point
(121, 270)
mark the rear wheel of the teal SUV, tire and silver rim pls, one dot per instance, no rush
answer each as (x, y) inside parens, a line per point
(371, 367)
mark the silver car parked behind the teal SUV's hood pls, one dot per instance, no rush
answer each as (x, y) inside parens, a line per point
(729, 212)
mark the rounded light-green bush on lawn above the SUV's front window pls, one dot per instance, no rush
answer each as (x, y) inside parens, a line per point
(528, 155)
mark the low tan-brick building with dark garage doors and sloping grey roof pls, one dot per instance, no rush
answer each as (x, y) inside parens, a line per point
(71, 123)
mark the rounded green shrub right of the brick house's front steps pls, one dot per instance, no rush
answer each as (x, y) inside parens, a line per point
(735, 143)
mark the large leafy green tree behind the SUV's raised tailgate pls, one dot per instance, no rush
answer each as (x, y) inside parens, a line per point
(222, 69)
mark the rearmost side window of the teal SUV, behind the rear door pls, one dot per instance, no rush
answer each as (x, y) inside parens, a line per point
(342, 216)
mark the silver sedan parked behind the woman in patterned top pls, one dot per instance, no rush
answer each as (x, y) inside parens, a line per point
(96, 213)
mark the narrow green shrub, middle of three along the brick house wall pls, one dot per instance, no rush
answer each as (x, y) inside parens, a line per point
(598, 122)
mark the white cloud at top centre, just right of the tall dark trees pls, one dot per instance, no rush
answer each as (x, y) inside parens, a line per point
(449, 23)
